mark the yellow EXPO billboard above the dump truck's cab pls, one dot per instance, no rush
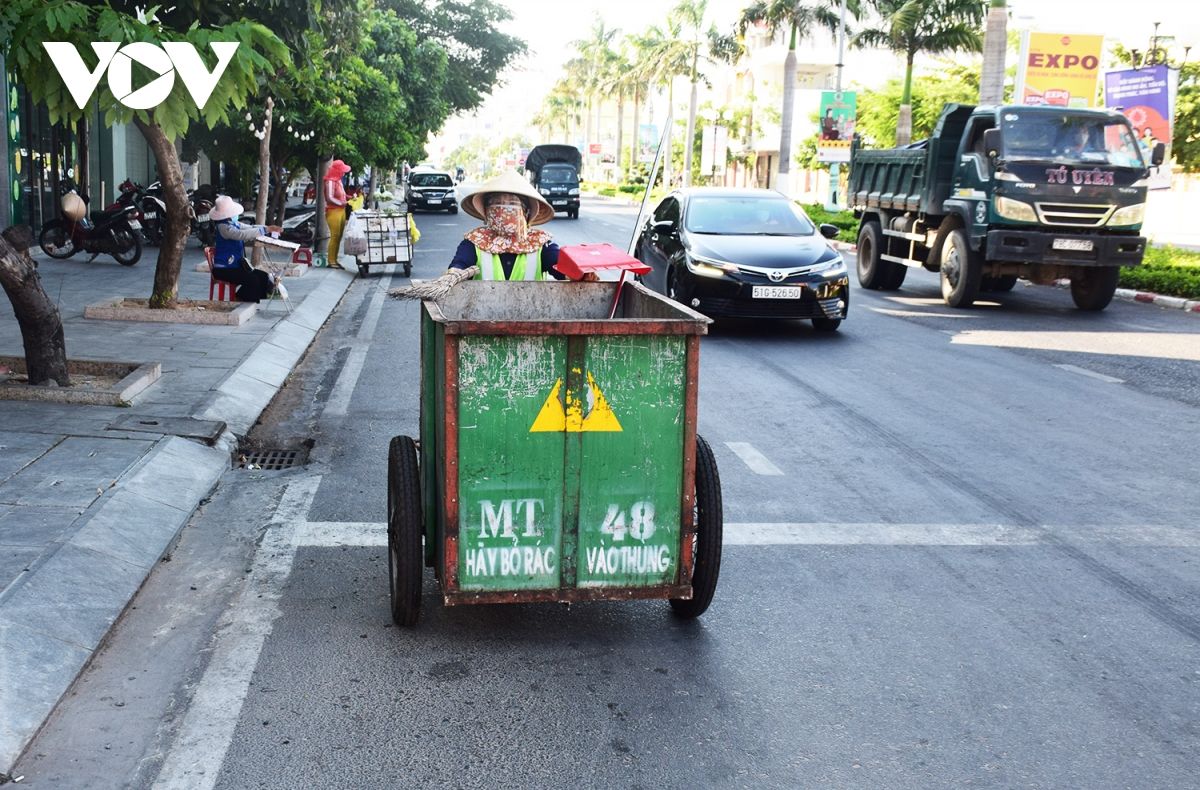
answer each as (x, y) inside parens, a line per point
(1059, 69)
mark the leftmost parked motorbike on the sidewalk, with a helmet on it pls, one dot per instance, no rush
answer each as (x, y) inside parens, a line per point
(111, 232)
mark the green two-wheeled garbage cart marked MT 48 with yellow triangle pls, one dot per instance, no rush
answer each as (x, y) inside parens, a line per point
(559, 458)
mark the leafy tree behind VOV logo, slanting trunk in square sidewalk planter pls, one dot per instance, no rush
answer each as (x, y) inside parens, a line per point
(26, 25)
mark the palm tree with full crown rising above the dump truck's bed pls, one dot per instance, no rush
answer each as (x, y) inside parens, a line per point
(911, 27)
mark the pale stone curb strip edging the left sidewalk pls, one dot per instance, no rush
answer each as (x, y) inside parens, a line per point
(93, 577)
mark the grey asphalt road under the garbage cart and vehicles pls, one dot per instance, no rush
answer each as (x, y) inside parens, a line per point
(962, 550)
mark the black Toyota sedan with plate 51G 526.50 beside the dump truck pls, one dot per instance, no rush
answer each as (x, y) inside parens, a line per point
(745, 254)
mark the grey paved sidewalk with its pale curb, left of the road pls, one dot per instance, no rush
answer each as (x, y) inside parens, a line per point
(92, 498)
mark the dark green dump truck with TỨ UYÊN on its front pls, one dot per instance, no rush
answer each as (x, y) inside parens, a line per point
(998, 194)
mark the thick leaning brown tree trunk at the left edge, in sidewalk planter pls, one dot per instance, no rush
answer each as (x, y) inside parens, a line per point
(41, 327)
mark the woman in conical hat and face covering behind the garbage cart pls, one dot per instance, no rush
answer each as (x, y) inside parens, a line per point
(507, 248)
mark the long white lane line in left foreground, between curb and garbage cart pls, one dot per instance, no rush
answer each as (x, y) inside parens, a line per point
(199, 751)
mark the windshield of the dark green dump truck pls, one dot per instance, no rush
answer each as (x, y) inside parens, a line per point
(1073, 140)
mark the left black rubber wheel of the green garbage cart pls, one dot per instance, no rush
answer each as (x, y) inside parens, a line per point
(406, 559)
